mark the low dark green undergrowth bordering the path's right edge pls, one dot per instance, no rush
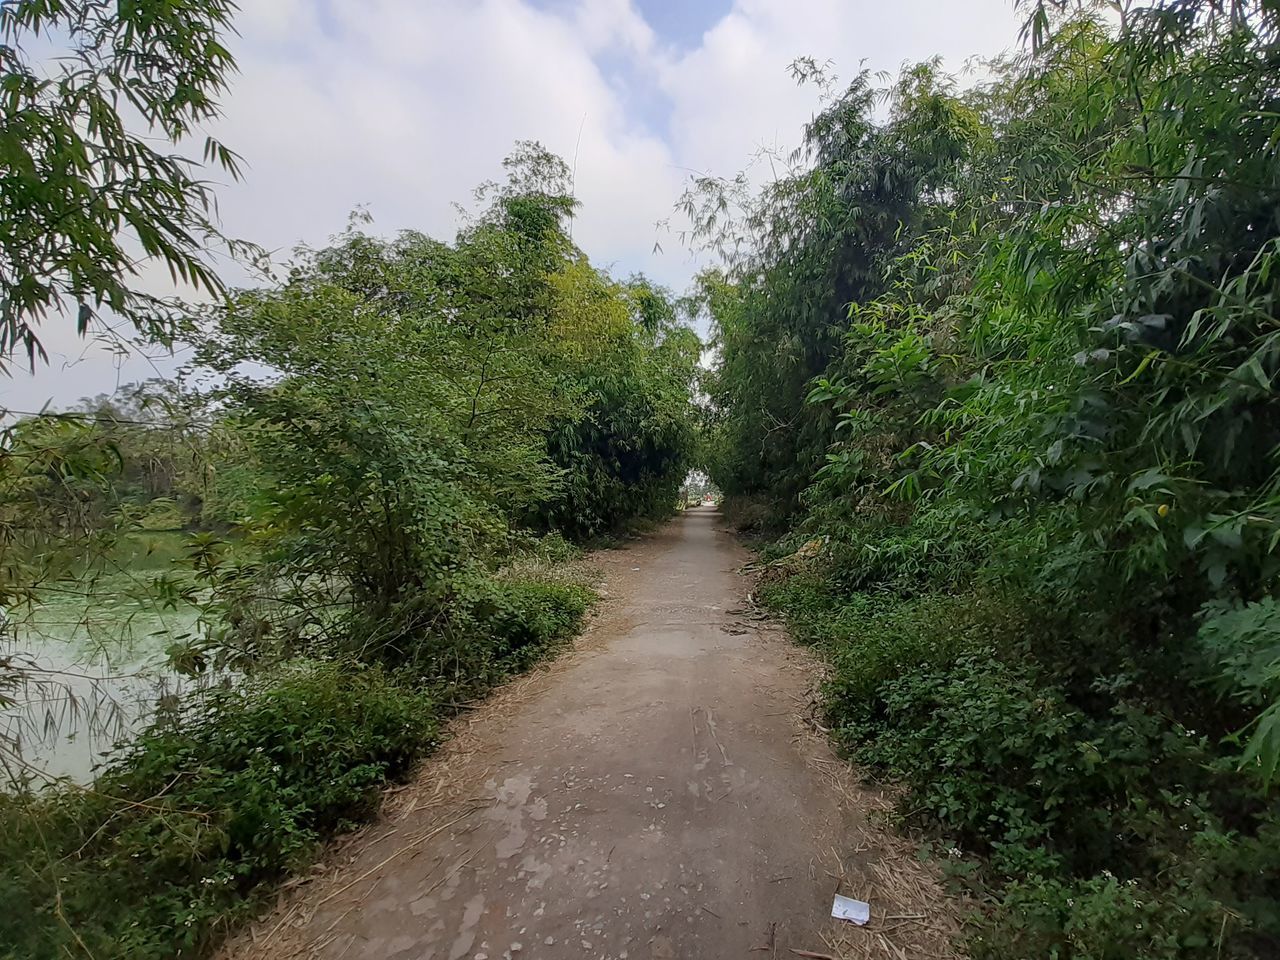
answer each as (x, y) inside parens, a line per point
(1109, 830)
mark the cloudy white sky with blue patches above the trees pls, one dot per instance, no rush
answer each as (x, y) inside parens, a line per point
(401, 108)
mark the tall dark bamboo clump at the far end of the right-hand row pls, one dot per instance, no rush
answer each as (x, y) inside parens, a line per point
(822, 240)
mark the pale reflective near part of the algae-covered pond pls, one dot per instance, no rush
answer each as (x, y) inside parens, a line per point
(93, 682)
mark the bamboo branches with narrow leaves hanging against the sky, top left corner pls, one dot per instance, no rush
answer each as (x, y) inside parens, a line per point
(85, 198)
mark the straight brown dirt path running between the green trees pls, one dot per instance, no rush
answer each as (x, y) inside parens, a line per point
(653, 796)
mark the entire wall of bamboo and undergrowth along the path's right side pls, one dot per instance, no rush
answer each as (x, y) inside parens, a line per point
(1036, 441)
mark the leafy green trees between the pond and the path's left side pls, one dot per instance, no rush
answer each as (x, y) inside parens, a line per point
(423, 406)
